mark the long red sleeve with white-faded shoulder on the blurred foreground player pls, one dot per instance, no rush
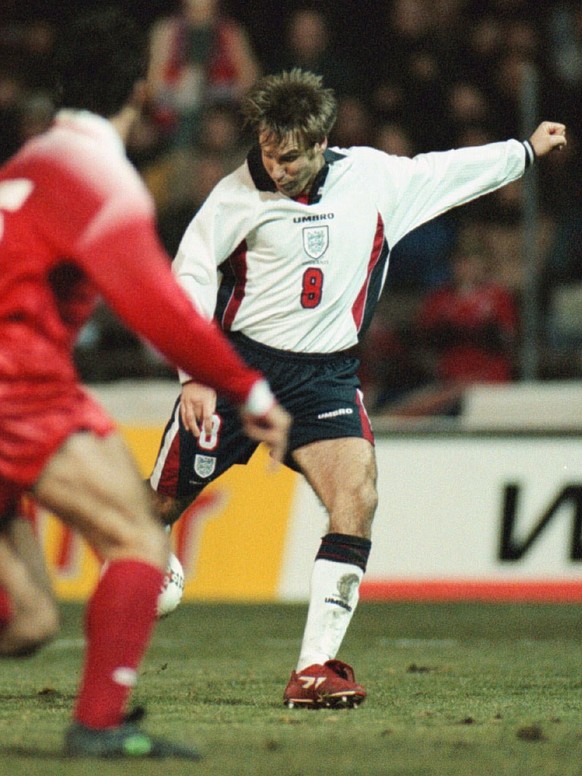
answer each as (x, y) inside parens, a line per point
(98, 214)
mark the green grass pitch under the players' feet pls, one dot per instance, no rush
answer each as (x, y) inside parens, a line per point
(454, 690)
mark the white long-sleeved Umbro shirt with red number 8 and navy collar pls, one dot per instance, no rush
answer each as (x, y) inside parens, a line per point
(306, 277)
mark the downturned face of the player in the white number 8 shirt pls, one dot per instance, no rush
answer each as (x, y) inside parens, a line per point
(290, 165)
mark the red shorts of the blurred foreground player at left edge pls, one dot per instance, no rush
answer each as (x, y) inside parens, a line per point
(34, 423)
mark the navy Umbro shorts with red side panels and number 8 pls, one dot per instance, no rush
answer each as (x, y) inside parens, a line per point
(320, 391)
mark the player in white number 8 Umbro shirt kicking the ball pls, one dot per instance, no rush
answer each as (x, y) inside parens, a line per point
(289, 253)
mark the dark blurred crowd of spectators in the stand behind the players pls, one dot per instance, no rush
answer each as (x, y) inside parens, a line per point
(411, 76)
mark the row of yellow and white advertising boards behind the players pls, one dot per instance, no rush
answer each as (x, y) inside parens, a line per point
(493, 514)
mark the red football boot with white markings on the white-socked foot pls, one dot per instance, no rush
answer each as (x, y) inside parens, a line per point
(328, 686)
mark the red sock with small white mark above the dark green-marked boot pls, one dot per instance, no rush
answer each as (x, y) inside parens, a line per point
(118, 624)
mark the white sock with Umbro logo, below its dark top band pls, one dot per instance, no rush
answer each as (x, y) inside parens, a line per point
(333, 598)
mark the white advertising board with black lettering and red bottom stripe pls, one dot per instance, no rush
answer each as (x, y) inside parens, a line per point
(463, 516)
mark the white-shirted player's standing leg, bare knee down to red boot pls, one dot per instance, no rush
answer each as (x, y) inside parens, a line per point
(342, 472)
